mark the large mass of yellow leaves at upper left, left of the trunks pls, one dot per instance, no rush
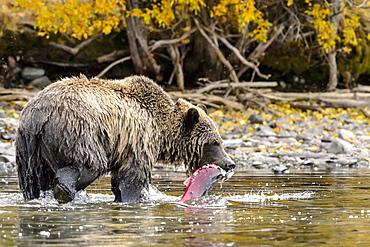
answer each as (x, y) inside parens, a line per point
(77, 18)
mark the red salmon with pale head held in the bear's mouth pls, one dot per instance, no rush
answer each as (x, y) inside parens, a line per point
(203, 180)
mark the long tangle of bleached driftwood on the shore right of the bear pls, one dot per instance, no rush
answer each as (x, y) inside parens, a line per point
(260, 94)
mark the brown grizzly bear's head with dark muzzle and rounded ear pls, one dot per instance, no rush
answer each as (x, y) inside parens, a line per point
(200, 139)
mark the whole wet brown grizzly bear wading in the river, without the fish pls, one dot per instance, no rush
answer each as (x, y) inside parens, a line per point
(76, 130)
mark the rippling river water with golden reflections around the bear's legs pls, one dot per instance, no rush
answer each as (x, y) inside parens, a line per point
(253, 208)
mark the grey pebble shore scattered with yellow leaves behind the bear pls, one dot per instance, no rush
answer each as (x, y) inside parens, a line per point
(279, 139)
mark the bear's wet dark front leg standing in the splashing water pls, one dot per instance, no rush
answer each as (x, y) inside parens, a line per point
(128, 183)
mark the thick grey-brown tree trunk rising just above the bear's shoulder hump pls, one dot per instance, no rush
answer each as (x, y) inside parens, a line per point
(138, 41)
